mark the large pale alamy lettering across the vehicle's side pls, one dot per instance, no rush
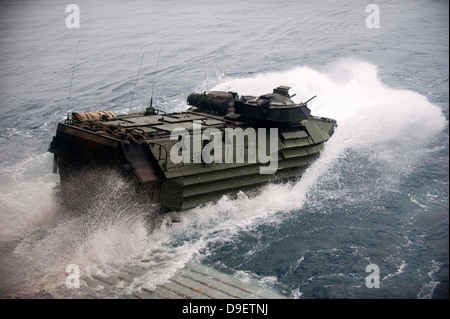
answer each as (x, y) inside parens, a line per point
(227, 146)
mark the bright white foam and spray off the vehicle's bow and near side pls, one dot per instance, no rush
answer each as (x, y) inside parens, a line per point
(370, 116)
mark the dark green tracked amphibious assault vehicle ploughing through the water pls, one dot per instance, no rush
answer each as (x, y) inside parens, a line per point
(224, 143)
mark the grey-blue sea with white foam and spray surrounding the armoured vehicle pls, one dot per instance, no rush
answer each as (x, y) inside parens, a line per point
(378, 194)
